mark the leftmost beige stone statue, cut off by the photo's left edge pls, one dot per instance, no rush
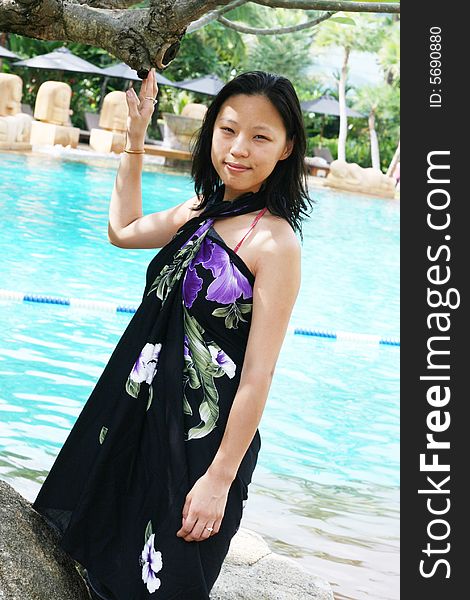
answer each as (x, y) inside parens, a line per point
(15, 126)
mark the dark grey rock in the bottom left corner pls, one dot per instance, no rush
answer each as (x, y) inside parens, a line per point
(32, 565)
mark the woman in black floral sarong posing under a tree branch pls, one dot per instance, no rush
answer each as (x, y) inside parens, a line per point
(149, 487)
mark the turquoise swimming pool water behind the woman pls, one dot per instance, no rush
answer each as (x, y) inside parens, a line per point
(326, 487)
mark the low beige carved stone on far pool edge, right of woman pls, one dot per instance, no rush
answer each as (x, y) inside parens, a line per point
(353, 178)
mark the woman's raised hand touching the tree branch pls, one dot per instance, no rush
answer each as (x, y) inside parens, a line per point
(140, 108)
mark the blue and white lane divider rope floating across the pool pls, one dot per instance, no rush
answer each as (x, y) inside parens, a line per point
(96, 305)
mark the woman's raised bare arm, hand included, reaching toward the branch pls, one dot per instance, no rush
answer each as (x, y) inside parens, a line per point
(127, 226)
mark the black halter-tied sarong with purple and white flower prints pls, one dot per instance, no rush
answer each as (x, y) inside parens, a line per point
(154, 422)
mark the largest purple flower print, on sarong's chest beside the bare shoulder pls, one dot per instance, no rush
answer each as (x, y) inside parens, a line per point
(229, 284)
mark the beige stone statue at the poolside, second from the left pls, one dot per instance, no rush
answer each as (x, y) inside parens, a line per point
(52, 113)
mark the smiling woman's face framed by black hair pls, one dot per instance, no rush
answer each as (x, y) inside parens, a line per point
(248, 140)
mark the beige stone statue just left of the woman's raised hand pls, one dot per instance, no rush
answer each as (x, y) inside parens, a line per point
(111, 137)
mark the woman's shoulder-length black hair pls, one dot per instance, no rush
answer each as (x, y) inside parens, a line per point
(286, 187)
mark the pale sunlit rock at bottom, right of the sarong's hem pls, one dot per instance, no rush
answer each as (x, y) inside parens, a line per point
(252, 572)
